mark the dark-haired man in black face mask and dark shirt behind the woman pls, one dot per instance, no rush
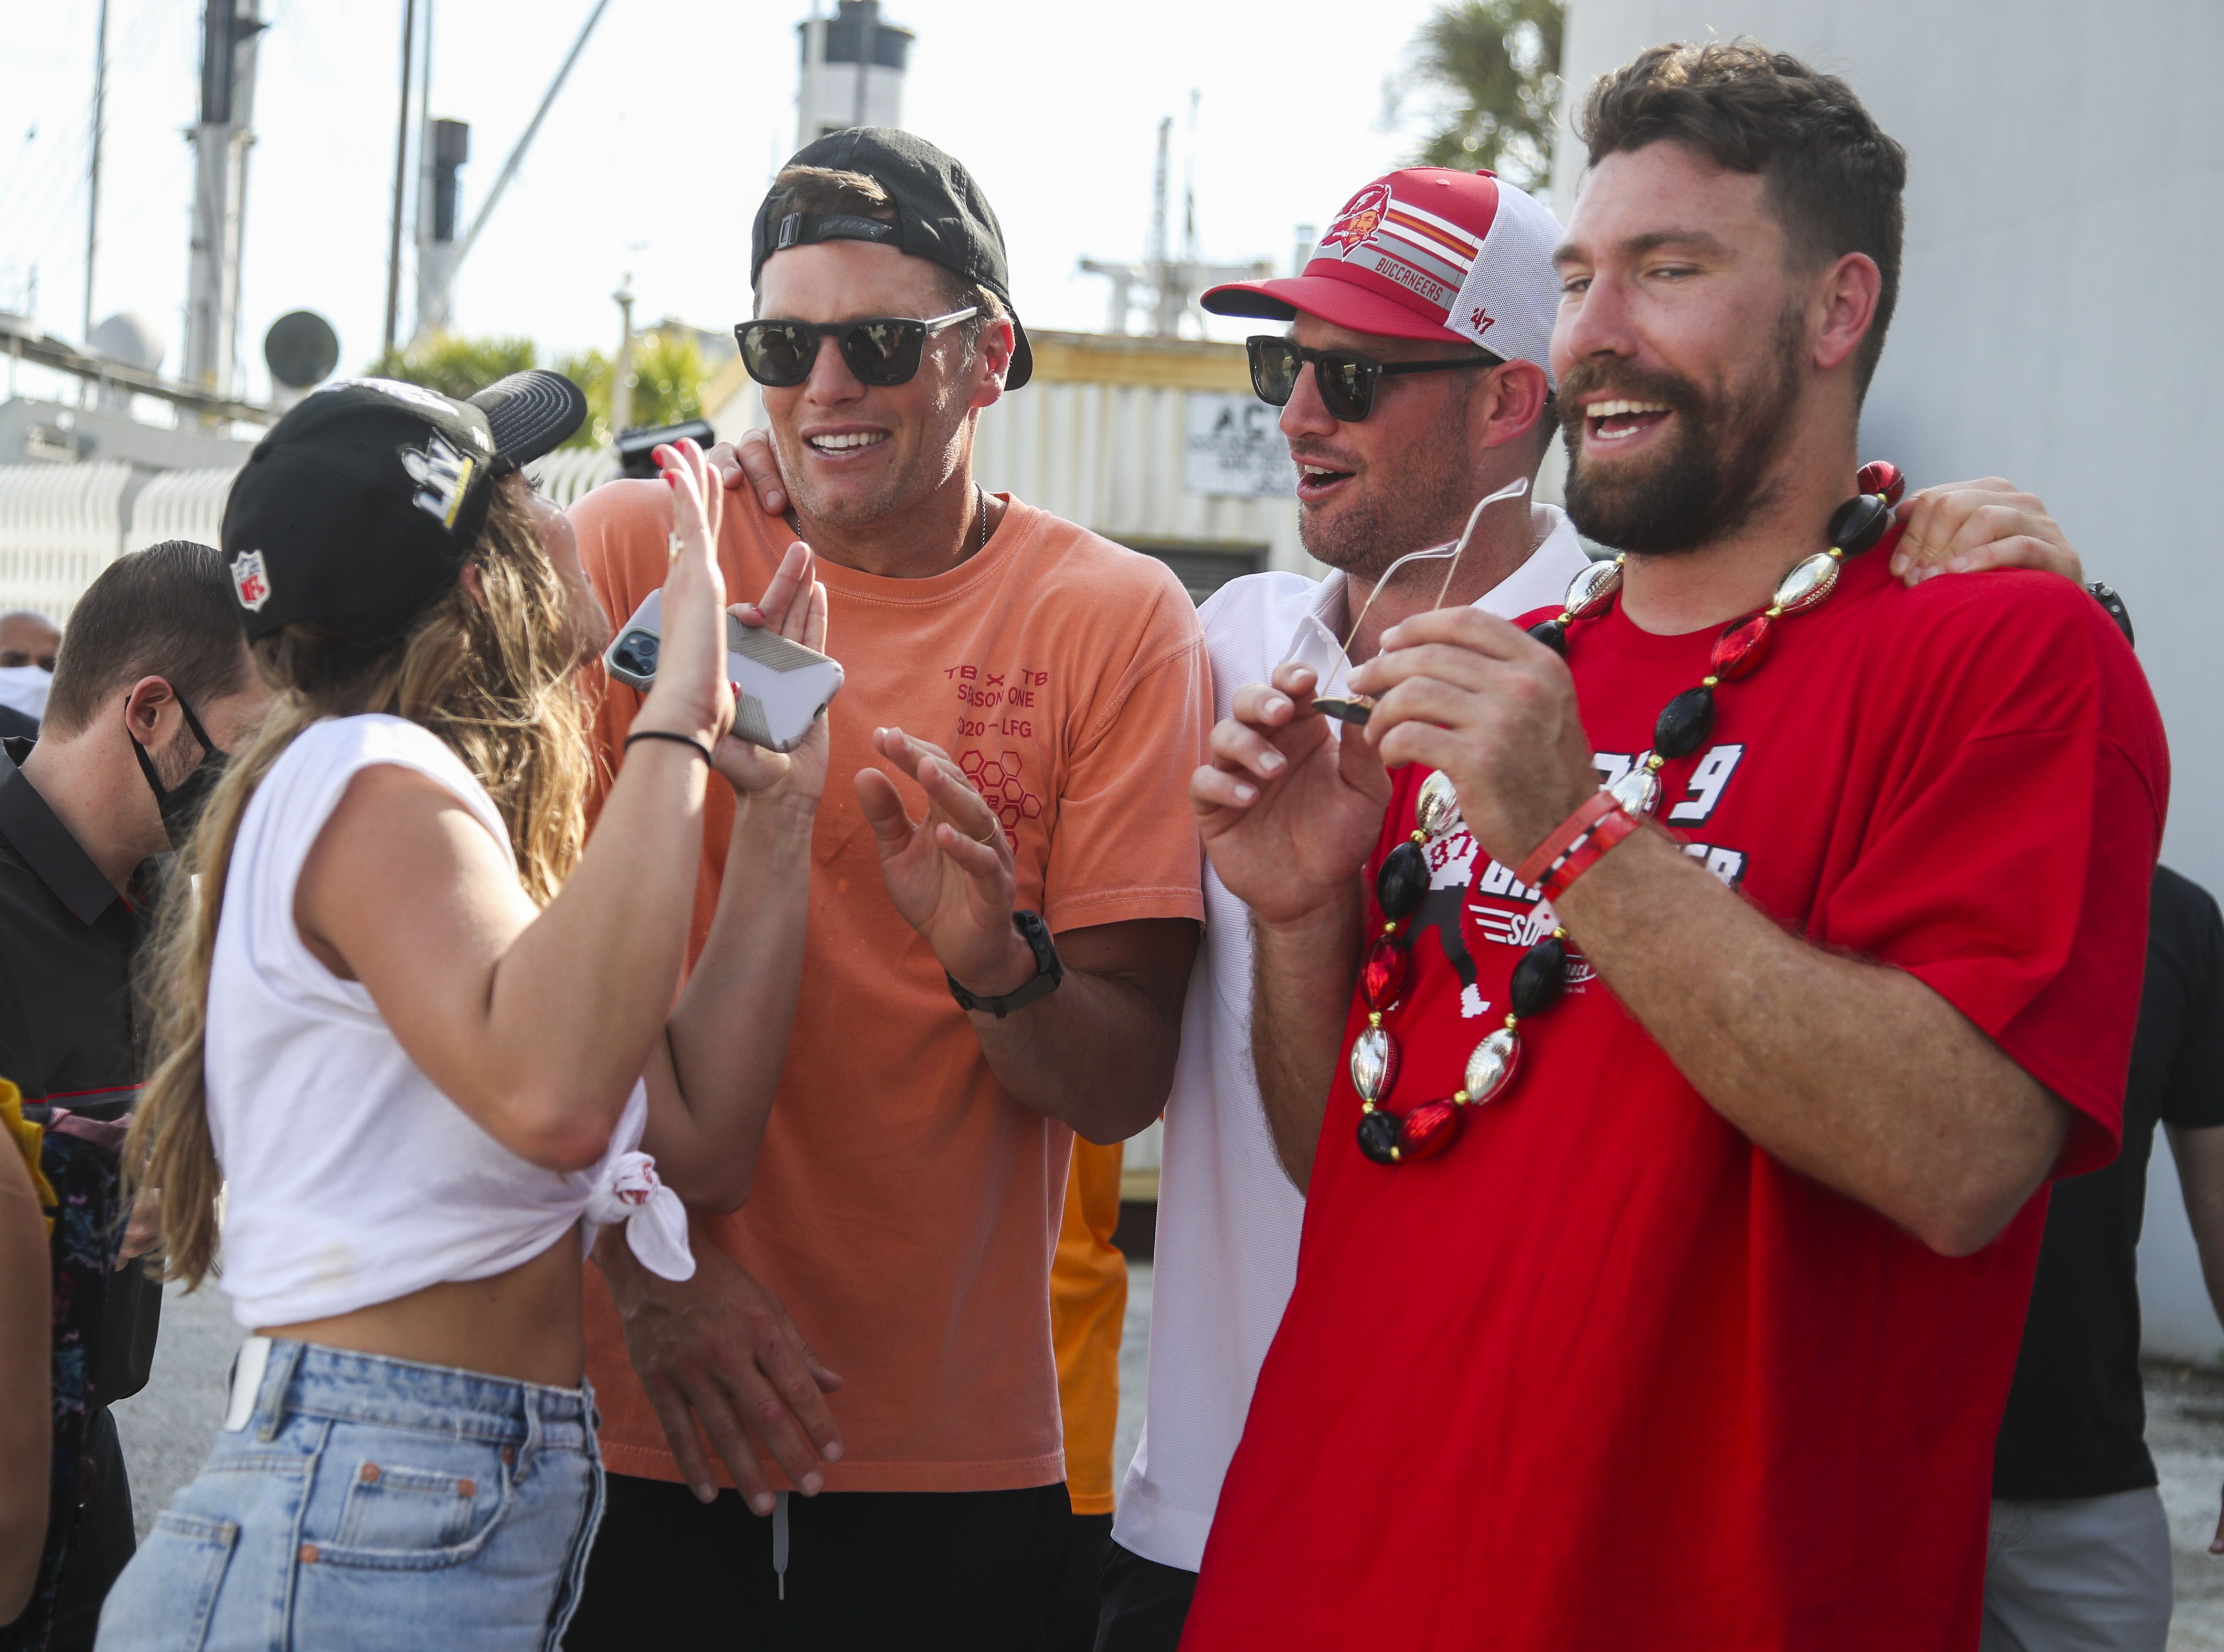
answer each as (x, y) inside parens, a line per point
(152, 693)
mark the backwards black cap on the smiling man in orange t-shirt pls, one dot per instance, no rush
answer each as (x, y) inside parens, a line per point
(942, 217)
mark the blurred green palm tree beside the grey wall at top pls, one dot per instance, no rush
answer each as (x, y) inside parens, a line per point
(1491, 70)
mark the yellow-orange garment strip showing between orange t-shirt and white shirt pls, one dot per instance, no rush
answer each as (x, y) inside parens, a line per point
(1089, 1308)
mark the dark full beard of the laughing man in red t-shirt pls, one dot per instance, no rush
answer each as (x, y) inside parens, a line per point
(1711, 479)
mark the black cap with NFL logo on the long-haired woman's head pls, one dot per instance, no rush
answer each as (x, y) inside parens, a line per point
(359, 506)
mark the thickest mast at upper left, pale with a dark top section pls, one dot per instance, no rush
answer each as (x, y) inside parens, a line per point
(221, 143)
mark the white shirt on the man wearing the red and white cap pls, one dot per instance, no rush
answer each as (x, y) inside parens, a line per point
(1229, 1217)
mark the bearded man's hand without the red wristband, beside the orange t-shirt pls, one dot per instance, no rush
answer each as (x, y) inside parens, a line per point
(1287, 808)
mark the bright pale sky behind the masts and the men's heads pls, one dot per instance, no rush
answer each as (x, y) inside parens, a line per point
(659, 148)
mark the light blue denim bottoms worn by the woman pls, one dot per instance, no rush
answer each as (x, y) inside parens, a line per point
(373, 1504)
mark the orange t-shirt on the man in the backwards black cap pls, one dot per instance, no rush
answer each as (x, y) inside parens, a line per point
(906, 1206)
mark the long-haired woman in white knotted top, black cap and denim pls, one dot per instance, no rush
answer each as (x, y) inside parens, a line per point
(428, 1044)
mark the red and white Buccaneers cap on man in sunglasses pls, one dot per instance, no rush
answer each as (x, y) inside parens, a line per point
(1427, 255)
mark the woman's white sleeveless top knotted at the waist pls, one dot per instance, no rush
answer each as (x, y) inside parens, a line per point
(353, 1180)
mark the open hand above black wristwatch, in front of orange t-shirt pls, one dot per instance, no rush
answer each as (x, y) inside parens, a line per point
(951, 875)
